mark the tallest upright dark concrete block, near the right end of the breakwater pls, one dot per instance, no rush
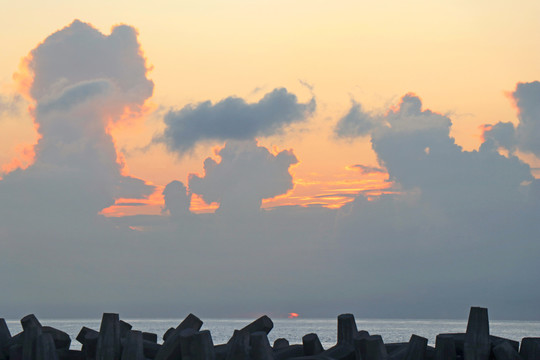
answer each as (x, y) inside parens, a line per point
(477, 343)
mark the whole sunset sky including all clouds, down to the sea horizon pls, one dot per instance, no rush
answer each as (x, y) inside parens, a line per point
(240, 158)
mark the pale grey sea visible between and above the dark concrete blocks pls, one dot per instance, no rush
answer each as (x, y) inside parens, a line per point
(293, 330)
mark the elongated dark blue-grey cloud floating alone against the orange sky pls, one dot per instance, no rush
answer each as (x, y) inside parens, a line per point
(232, 119)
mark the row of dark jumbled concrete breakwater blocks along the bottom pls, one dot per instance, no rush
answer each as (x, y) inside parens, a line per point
(354, 347)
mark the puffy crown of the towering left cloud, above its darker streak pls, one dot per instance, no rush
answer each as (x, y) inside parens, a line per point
(80, 53)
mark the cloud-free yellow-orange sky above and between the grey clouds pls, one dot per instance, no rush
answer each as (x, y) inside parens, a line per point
(460, 58)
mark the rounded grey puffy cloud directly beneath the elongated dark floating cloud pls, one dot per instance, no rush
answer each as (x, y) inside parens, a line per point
(246, 174)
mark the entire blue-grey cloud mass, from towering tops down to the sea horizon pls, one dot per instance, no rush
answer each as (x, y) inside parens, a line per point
(462, 230)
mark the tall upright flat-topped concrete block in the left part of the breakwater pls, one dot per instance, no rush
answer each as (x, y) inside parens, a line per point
(108, 344)
